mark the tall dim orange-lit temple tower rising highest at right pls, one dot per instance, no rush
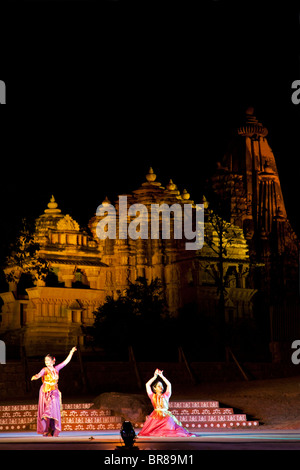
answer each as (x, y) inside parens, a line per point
(247, 179)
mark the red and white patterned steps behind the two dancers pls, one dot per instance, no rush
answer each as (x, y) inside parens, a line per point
(82, 417)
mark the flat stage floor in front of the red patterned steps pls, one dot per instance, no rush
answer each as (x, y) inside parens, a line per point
(110, 441)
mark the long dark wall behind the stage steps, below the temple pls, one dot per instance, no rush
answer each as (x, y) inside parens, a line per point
(102, 377)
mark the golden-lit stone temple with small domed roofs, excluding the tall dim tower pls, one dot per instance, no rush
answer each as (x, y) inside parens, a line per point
(84, 270)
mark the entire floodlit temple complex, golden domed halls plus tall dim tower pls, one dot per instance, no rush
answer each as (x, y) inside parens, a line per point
(84, 270)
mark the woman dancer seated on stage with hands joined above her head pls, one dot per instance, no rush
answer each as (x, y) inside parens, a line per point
(161, 422)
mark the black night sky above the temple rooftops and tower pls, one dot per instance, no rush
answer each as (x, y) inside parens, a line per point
(98, 94)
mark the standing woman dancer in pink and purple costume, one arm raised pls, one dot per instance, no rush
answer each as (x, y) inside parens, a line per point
(49, 417)
